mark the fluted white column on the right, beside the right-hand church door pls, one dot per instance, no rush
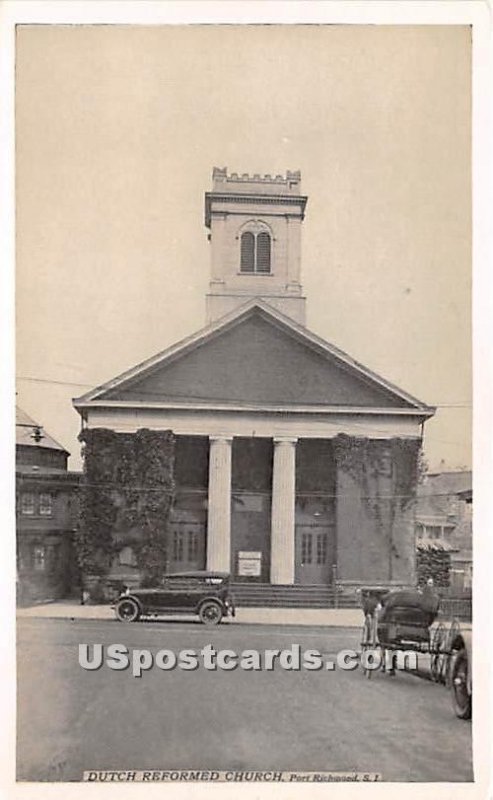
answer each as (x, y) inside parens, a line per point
(283, 497)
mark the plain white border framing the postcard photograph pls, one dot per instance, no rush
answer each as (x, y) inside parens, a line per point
(367, 12)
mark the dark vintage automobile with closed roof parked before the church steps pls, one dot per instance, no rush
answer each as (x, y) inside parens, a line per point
(202, 592)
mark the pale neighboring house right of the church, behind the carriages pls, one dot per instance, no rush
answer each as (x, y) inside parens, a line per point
(444, 521)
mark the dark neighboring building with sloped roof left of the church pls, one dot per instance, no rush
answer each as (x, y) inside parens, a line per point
(46, 514)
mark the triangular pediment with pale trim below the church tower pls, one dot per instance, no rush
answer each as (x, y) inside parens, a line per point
(255, 356)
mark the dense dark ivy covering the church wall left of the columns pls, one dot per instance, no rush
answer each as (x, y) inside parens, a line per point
(127, 491)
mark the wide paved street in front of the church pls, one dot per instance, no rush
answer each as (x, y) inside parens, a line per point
(70, 719)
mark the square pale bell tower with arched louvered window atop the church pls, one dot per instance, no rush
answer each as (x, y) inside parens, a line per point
(255, 236)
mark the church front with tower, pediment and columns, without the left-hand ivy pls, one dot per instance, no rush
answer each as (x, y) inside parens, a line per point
(294, 464)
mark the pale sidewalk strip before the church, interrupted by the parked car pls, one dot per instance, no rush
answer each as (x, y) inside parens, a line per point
(330, 617)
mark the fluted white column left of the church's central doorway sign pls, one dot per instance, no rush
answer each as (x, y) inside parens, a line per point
(219, 507)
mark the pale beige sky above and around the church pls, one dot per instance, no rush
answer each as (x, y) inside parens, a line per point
(117, 131)
